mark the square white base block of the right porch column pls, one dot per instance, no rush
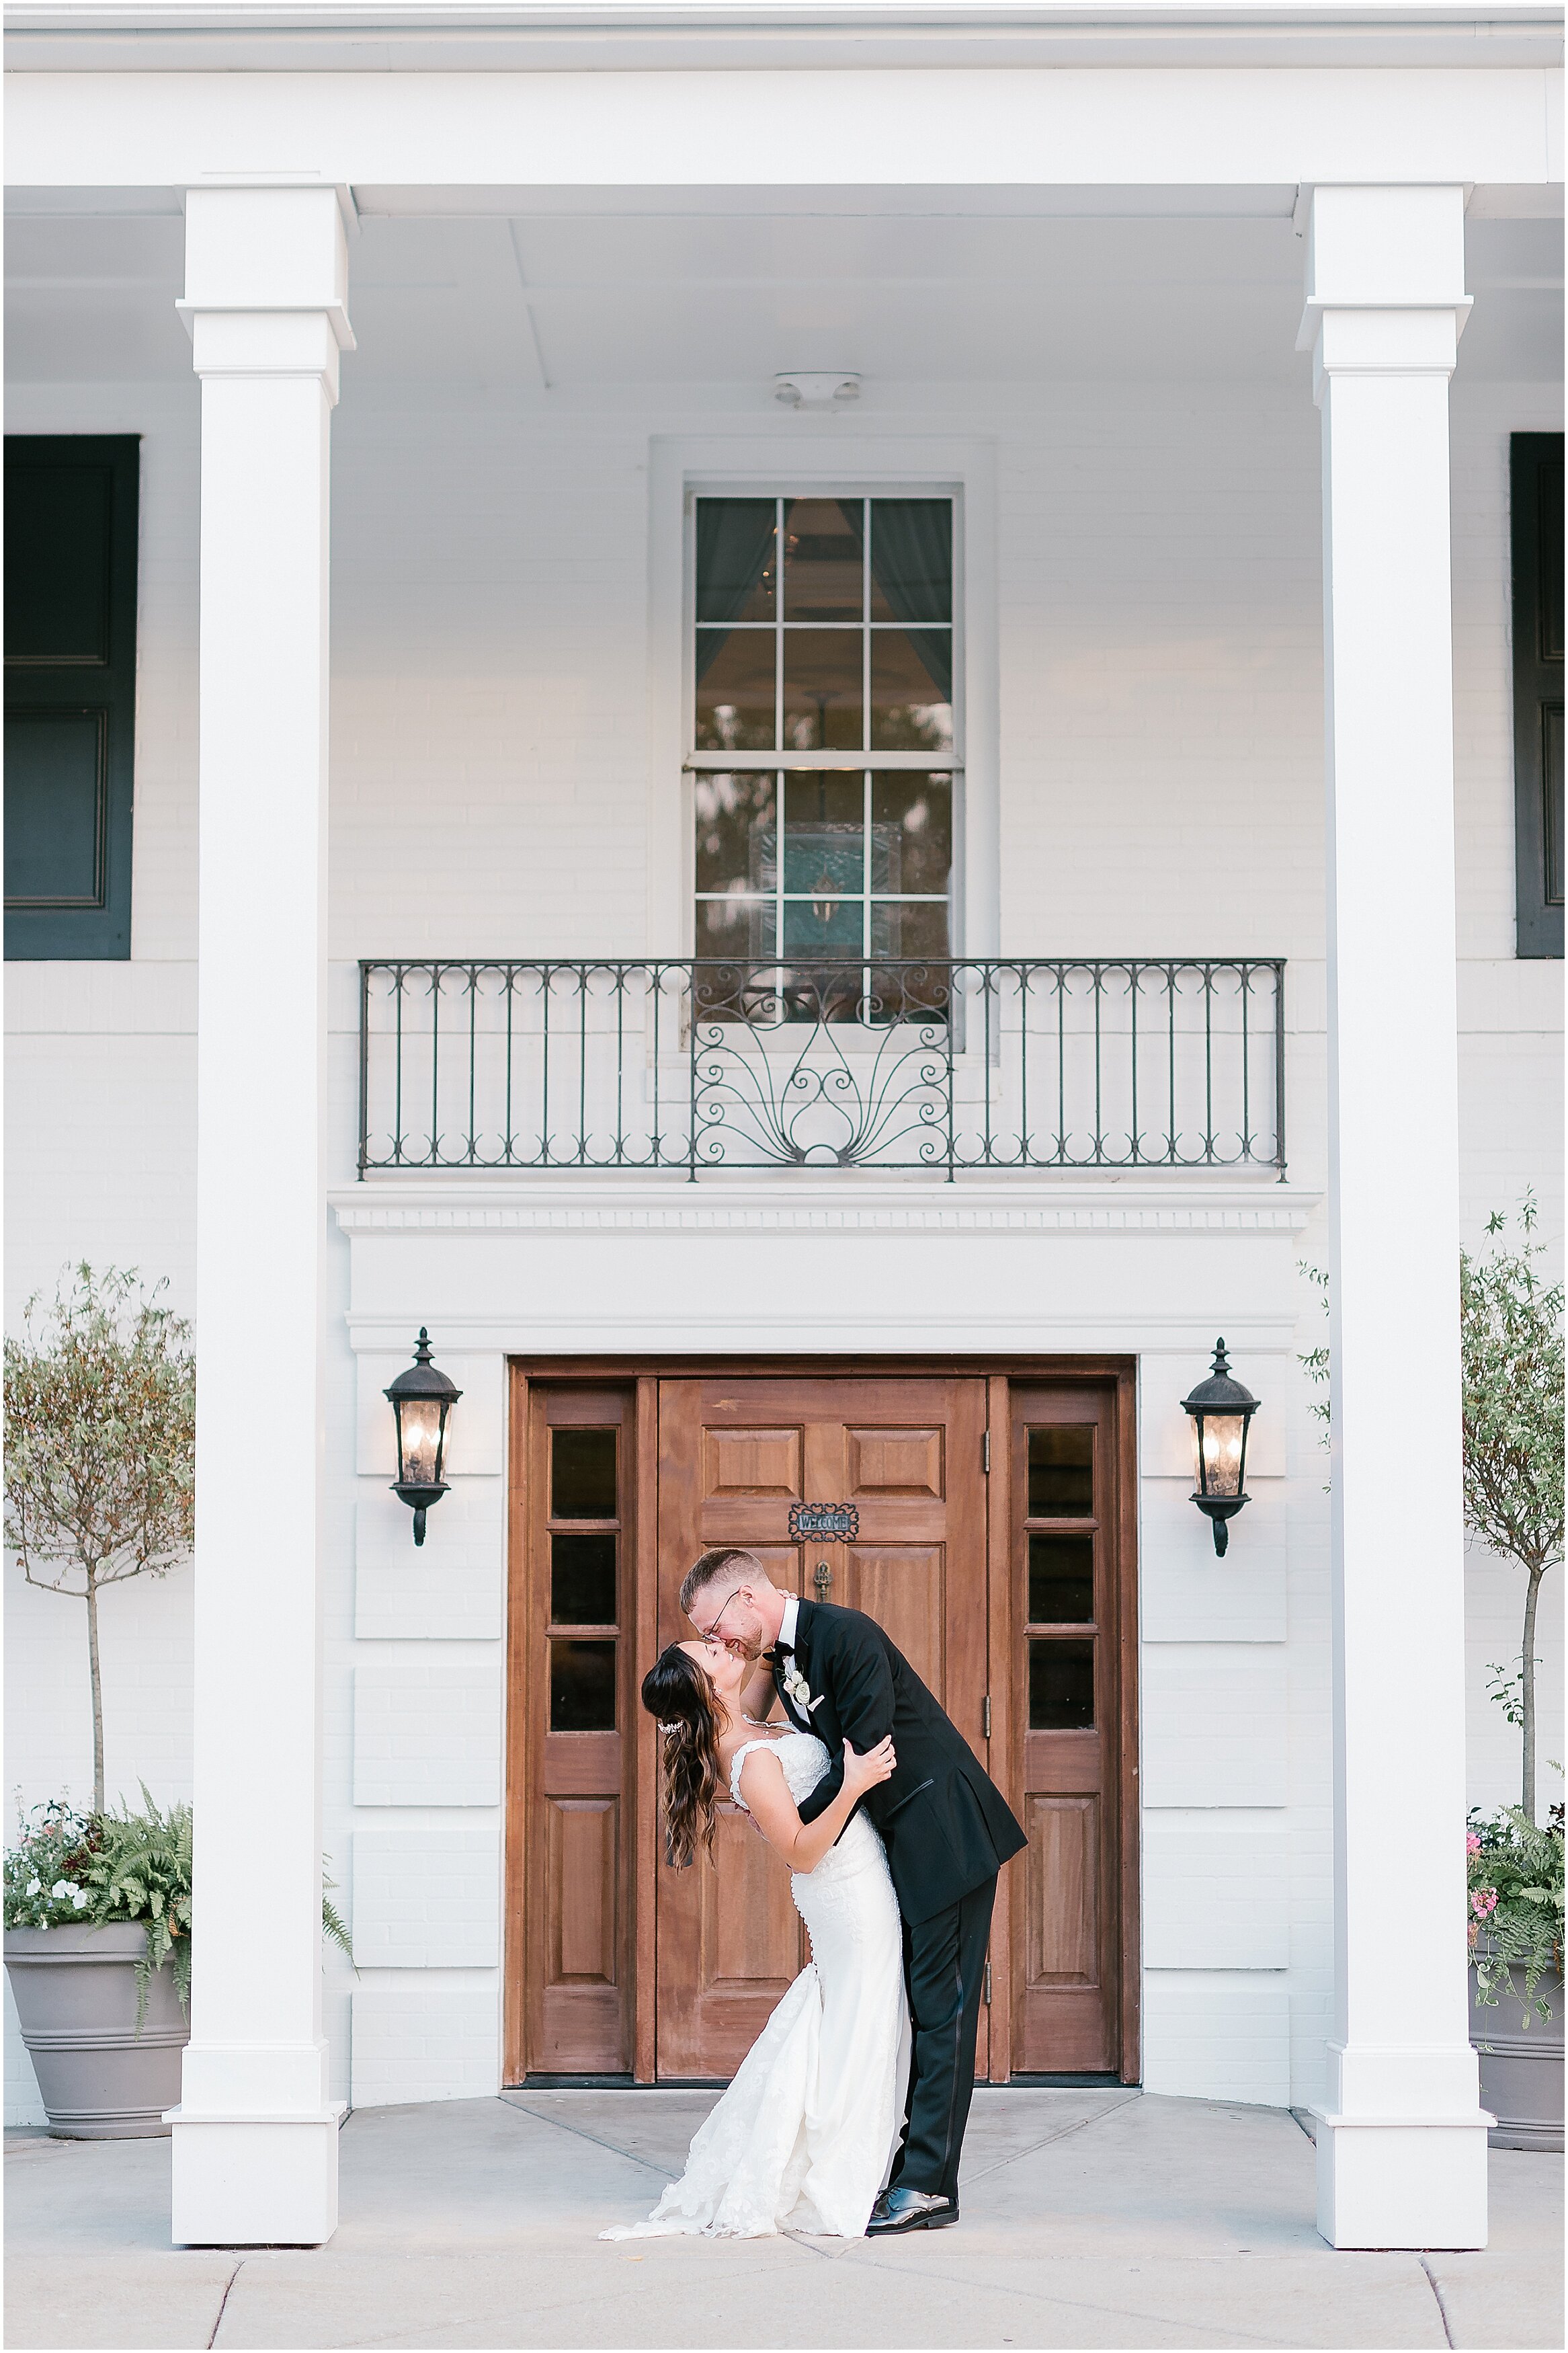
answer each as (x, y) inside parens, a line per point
(1402, 2185)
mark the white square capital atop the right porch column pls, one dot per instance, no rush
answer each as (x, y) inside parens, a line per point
(1386, 281)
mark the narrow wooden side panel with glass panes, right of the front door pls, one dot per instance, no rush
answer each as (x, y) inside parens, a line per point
(1068, 1707)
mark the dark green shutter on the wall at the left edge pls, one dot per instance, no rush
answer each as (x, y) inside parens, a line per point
(69, 693)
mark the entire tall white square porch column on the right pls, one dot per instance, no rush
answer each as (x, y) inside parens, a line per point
(1402, 2138)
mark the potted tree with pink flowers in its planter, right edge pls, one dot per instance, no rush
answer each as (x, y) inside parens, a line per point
(1513, 1359)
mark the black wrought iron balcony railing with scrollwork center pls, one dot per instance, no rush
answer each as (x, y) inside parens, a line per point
(949, 1067)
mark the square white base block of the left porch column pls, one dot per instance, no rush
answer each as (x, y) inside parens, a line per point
(257, 2182)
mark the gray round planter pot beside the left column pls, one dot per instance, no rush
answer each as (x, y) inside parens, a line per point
(76, 1999)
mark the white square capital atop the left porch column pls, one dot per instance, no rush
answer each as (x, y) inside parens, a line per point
(267, 284)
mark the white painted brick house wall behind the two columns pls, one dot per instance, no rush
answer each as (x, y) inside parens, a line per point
(1160, 787)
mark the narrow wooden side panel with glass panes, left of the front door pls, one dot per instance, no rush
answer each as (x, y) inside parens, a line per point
(577, 1698)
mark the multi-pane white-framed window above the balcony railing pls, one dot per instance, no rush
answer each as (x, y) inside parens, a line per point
(824, 759)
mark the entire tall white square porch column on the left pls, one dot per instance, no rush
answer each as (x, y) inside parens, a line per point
(255, 2135)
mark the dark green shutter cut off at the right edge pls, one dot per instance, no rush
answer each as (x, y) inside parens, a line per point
(1536, 474)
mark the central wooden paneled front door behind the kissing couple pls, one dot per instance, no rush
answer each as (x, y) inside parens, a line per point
(735, 1455)
